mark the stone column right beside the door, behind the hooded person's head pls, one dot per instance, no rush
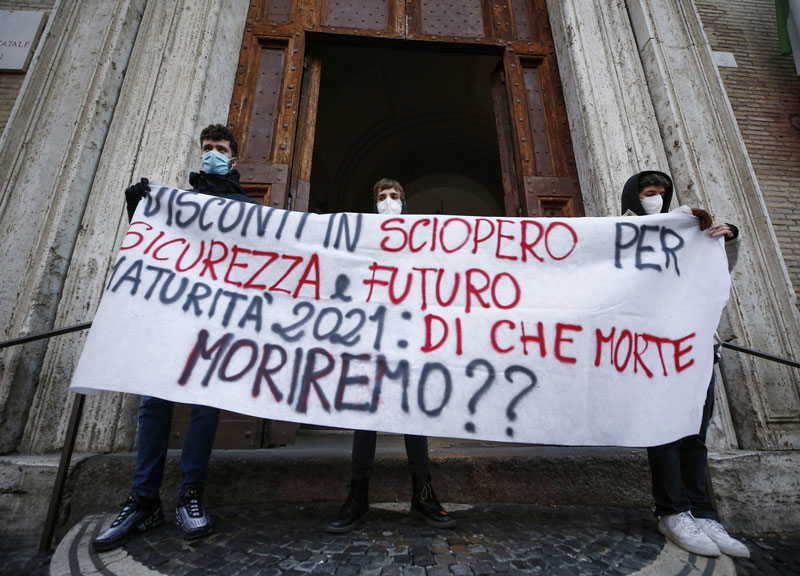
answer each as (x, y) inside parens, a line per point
(611, 119)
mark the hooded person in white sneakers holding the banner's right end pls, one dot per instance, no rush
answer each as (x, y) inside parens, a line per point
(679, 469)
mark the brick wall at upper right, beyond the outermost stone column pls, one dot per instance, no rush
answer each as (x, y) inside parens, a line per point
(764, 92)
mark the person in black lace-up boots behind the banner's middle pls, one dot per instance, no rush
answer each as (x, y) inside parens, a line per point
(389, 198)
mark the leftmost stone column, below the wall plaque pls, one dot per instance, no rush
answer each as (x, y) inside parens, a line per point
(49, 152)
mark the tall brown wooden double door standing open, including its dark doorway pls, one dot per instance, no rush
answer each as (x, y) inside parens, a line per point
(459, 100)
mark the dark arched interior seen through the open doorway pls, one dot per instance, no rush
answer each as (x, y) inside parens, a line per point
(423, 117)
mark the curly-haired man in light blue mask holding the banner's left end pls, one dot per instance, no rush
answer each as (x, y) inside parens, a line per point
(142, 510)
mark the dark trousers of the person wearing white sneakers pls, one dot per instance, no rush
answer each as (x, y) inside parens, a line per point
(679, 470)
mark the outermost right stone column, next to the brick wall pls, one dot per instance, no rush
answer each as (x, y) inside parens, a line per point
(710, 165)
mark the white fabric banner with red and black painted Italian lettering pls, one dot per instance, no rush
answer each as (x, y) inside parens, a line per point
(581, 331)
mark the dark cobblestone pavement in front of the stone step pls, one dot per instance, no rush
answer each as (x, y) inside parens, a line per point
(489, 539)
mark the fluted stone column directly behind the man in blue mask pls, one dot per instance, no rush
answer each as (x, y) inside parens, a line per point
(180, 79)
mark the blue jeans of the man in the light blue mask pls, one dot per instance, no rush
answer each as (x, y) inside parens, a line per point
(155, 420)
